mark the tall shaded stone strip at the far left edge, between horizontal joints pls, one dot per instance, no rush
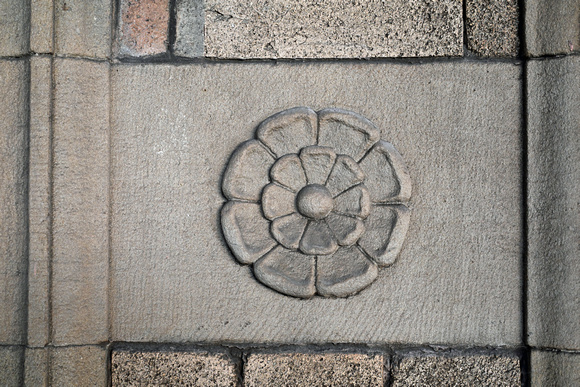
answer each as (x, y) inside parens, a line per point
(14, 78)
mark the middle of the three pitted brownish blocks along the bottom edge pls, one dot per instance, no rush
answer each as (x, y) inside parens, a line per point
(320, 369)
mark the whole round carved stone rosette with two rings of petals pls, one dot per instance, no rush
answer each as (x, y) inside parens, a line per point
(315, 203)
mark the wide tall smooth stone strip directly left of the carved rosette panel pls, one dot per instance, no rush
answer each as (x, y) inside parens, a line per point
(80, 203)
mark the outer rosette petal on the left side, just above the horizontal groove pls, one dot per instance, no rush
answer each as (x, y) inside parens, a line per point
(247, 171)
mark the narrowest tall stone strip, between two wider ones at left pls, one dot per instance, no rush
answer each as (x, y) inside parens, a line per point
(39, 217)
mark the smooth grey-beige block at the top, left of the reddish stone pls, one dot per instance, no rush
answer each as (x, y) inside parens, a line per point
(83, 28)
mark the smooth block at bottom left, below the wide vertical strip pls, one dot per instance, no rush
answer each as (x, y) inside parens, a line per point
(78, 366)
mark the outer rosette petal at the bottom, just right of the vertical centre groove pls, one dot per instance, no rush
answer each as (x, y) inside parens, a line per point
(344, 273)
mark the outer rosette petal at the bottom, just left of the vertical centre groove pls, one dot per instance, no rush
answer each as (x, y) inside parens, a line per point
(288, 272)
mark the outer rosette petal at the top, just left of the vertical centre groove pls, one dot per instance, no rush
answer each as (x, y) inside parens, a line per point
(289, 131)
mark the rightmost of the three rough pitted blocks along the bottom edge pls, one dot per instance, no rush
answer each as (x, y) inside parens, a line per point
(457, 371)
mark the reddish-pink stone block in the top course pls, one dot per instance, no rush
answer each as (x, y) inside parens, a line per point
(143, 28)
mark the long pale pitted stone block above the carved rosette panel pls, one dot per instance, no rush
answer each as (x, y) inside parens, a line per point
(332, 29)
